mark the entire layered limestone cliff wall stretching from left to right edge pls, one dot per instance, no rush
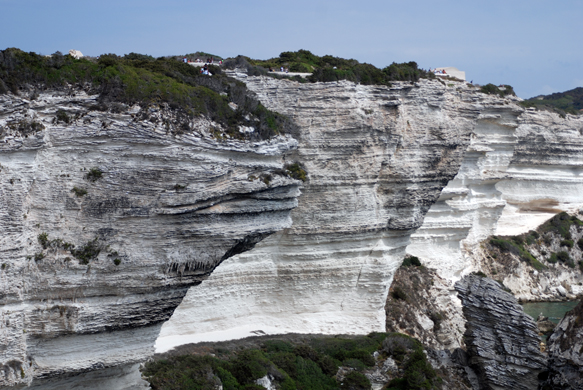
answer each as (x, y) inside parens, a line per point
(108, 217)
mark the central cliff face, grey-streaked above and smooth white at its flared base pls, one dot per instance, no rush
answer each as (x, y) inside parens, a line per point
(377, 159)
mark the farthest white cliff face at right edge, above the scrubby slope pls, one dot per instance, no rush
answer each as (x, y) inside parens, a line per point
(546, 173)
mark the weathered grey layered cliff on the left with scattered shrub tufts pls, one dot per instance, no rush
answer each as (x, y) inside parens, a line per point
(106, 222)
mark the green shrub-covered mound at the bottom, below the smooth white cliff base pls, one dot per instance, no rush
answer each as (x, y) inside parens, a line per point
(304, 362)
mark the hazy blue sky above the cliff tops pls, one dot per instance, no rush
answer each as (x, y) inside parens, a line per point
(534, 45)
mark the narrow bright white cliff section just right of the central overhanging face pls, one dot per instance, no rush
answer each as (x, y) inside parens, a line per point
(469, 206)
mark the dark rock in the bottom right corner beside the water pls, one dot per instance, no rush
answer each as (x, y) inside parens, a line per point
(565, 349)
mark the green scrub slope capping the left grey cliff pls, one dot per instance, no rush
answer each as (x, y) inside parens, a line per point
(144, 80)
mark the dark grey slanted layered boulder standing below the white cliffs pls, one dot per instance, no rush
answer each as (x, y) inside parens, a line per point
(502, 342)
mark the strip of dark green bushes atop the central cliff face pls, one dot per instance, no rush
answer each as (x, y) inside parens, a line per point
(330, 68)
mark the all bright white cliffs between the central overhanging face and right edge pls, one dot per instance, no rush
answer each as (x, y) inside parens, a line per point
(521, 168)
